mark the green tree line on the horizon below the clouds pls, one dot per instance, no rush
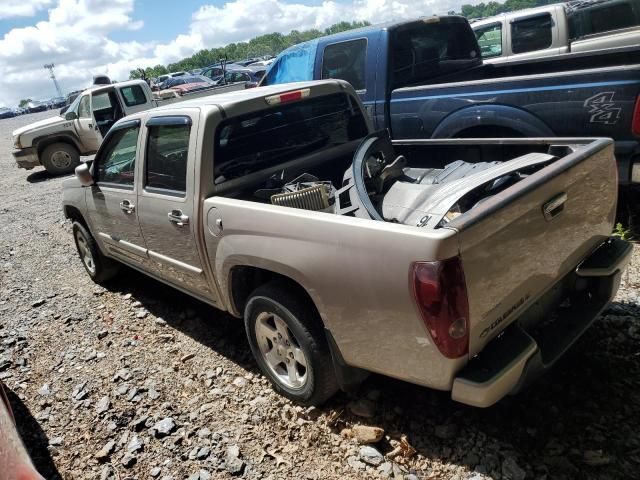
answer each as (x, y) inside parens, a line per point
(264, 45)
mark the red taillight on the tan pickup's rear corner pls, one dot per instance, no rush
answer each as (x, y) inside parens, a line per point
(441, 295)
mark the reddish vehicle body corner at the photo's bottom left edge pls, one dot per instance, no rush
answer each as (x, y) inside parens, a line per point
(14, 459)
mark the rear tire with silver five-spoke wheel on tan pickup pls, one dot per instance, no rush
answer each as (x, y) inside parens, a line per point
(282, 326)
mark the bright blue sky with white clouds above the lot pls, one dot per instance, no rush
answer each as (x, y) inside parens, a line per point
(112, 37)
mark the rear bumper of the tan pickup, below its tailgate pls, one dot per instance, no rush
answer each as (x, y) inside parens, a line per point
(520, 355)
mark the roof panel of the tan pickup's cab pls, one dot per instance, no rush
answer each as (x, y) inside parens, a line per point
(227, 99)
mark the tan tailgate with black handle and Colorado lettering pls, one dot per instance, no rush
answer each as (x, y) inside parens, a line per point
(512, 252)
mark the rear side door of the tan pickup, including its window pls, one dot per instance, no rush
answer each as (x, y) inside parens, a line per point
(167, 203)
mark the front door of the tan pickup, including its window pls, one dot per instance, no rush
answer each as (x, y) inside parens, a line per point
(112, 200)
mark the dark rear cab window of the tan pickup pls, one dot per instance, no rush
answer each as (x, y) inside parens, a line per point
(268, 138)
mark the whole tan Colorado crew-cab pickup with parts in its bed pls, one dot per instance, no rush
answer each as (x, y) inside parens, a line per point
(462, 265)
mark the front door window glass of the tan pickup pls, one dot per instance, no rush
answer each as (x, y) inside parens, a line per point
(117, 161)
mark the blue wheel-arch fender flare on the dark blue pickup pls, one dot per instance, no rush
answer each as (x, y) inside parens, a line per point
(492, 116)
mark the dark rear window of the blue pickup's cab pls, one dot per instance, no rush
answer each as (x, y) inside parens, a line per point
(423, 50)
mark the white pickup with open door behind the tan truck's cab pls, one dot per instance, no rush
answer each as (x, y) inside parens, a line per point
(58, 142)
